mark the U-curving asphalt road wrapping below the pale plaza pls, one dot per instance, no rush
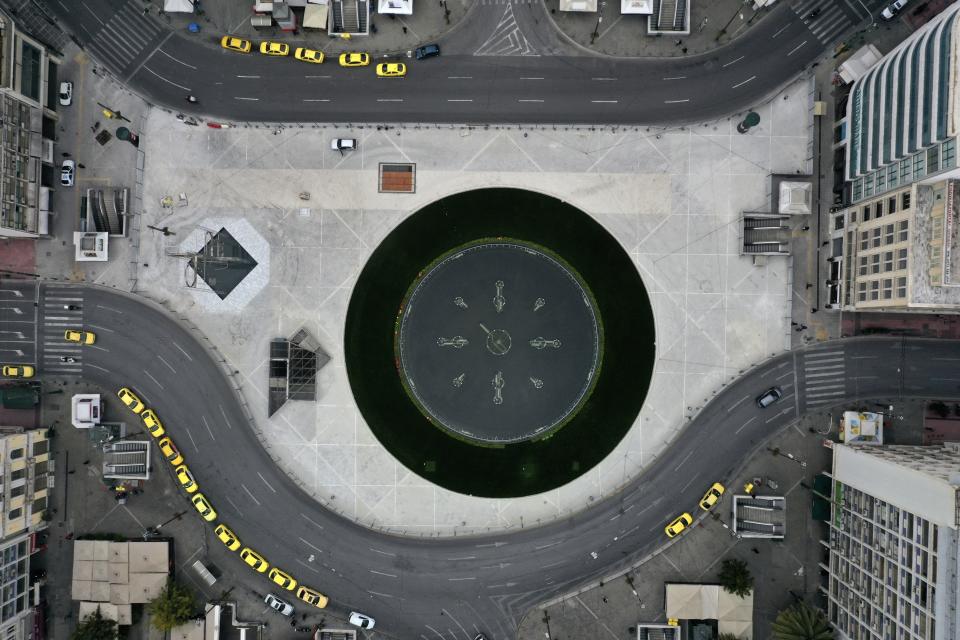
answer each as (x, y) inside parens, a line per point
(451, 588)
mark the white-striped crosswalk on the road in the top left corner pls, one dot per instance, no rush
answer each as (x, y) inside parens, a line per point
(124, 36)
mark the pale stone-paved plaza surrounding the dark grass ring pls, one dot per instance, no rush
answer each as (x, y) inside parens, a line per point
(672, 198)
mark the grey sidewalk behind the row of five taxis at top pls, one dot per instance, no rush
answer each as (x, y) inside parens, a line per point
(394, 33)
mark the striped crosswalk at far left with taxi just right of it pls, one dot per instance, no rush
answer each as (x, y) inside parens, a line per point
(61, 308)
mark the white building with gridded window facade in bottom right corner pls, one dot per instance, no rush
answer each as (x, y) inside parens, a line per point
(893, 543)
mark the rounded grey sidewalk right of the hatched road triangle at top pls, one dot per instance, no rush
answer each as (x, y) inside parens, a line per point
(712, 25)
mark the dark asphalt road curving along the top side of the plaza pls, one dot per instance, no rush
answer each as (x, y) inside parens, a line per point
(476, 80)
